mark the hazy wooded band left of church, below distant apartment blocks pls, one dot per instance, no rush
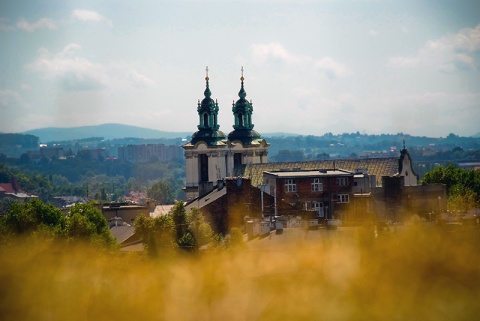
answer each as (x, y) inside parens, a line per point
(109, 180)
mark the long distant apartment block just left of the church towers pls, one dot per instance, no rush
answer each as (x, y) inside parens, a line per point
(145, 153)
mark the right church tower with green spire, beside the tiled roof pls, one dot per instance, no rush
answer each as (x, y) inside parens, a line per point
(245, 144)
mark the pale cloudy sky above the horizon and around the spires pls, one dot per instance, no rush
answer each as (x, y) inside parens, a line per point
(310, 67)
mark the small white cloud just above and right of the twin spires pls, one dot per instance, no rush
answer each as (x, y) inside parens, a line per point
(263, 53)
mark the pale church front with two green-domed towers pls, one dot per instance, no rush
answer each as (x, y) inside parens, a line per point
(210, 155)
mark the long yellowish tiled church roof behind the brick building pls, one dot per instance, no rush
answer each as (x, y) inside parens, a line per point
(374, 166)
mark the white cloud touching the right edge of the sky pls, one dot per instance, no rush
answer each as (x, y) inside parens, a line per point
(450, 53)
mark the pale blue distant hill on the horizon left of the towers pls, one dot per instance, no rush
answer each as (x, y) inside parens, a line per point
(107, 131)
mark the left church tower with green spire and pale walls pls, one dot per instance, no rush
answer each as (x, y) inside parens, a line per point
(206, 153)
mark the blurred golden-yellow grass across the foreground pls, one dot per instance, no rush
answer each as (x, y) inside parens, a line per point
(416, 273)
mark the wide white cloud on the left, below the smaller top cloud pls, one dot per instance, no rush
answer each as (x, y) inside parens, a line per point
(74, 73)
